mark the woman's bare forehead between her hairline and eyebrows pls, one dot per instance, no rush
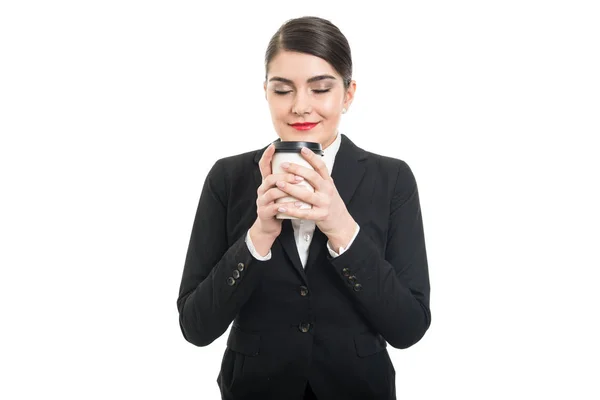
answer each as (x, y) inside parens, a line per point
(299, 66)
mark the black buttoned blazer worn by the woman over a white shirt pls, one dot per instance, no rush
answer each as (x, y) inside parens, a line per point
(328, 323)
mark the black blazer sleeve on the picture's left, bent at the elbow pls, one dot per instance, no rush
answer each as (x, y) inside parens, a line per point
(217, 278)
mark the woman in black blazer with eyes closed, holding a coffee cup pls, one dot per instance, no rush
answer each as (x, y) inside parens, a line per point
(314, 300)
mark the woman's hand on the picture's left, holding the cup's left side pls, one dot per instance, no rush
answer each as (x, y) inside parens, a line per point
(266, 225)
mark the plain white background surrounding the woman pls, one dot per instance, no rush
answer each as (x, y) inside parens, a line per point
(112, 113)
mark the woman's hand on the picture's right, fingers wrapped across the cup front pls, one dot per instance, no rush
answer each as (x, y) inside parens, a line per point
(328, 209)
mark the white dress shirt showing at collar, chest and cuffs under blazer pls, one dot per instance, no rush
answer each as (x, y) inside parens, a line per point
(304, 229)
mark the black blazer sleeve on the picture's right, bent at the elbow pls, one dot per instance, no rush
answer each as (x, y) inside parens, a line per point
(391, 290)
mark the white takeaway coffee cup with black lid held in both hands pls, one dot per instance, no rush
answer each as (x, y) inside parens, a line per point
(290, 152)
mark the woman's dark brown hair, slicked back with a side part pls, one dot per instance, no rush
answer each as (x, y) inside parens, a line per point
(316, 36)
